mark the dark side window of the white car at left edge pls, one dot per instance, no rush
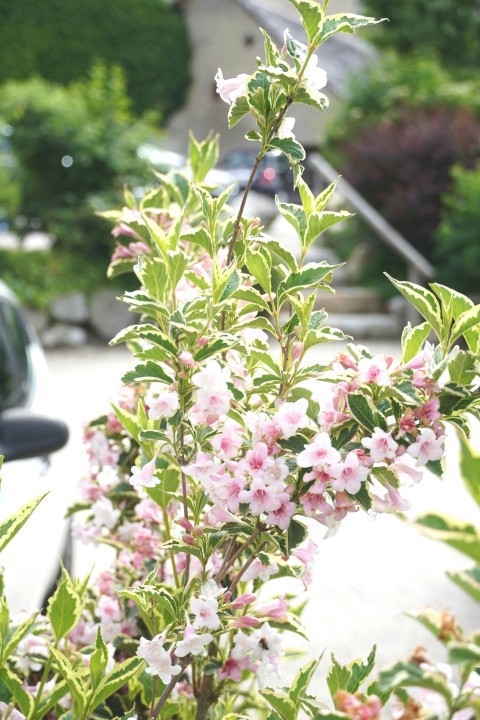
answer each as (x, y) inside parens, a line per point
(14, 361)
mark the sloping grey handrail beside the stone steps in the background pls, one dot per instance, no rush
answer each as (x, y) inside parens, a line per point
(418, 266)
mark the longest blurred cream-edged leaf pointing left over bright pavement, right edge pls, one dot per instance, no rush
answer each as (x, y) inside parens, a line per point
(462, 536)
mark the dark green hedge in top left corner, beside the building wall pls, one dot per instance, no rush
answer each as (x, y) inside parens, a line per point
(60, 39)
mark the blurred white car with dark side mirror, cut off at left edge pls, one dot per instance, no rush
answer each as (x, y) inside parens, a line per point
(26, 441)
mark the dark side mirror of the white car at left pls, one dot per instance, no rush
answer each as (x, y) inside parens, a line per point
(24, 435)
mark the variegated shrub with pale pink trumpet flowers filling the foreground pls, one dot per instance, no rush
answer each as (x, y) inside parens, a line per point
(226, 437)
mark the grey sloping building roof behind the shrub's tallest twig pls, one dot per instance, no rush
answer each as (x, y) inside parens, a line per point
(340, 57)
